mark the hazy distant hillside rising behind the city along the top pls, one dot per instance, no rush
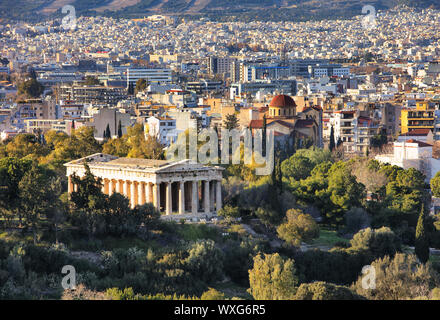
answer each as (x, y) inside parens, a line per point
(275, 10)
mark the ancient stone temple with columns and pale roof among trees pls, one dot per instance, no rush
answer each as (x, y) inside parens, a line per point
(182, 187)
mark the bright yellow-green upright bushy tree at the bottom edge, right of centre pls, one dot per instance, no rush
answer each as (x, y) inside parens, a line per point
(272, 278)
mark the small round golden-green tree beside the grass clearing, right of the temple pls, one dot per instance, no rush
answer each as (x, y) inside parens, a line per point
(298, 227)
